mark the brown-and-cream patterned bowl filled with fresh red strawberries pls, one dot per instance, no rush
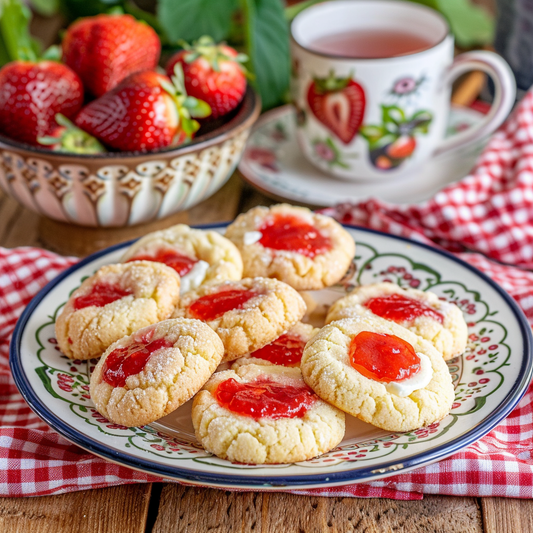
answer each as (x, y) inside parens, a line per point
(135, 153)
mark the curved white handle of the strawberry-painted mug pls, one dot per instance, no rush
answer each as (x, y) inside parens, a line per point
(504, 96)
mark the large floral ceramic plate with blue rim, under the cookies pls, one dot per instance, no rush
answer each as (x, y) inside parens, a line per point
(490, 378)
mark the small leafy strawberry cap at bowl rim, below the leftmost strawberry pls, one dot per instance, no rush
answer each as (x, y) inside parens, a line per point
(66, 137)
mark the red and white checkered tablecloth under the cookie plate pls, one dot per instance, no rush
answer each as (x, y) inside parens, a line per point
(490, 211)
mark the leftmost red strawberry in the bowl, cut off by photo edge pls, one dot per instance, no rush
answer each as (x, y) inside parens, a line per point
(32, 93)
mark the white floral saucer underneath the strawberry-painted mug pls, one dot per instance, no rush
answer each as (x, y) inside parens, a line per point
(274, 163)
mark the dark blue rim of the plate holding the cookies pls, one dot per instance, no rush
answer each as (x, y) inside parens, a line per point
(358, 475)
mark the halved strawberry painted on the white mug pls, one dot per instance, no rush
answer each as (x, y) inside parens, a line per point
(339, 103)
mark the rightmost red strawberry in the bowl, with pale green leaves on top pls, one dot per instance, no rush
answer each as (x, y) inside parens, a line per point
(213, 73)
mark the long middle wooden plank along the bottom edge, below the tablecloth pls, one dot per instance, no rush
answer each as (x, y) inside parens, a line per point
(194, 510)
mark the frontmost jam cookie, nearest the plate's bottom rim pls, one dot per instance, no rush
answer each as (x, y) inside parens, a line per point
(264, 414)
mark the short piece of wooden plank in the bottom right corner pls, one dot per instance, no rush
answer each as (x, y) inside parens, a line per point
(507, 515)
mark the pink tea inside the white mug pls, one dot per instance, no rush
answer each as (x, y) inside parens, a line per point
(371, 43)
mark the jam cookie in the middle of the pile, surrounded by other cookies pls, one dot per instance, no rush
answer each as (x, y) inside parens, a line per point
(246, 314)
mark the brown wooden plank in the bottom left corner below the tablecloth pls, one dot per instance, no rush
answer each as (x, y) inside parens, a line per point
(113, 510)
